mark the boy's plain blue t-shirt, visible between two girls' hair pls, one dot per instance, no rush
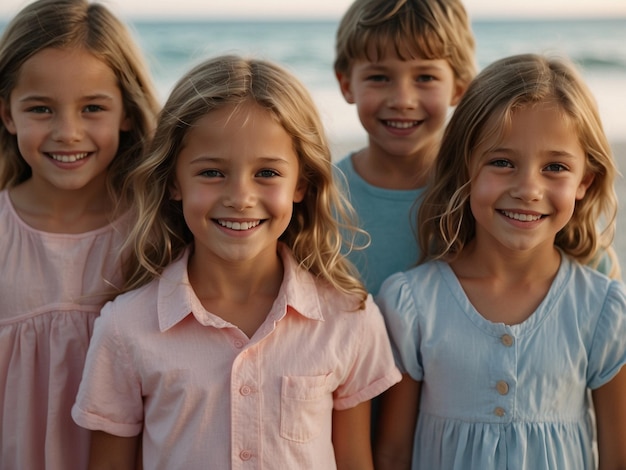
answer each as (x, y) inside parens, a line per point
(389, 217)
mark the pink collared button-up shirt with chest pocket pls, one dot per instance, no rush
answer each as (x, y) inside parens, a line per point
(207, 396)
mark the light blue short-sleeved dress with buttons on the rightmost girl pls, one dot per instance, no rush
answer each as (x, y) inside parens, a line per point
(505, 397)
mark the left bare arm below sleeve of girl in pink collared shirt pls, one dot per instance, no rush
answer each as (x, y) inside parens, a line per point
(109, 452)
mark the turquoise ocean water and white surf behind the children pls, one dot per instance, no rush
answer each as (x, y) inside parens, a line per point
(307, 49)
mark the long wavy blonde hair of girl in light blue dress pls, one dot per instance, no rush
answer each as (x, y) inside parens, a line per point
(445, 221)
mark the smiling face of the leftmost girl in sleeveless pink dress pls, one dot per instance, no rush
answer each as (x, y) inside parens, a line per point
(67, 112)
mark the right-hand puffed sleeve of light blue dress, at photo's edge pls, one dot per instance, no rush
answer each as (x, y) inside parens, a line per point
(608, 349)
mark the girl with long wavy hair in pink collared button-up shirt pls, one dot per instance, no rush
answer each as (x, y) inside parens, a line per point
(246, 340)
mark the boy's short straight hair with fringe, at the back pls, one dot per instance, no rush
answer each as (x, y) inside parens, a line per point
(426, 29)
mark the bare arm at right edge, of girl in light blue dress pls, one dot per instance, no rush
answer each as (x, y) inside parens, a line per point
(610, 407)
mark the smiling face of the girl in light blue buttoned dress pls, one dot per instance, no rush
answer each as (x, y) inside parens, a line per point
(526, 185)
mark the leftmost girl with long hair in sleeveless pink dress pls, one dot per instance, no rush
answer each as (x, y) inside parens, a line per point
(76, 107)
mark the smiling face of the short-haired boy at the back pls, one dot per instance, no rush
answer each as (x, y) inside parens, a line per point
(402, 104)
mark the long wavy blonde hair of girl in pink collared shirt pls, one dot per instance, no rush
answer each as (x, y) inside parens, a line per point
(314, 235)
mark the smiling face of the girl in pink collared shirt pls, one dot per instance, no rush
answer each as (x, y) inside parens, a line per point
(238, 177)
